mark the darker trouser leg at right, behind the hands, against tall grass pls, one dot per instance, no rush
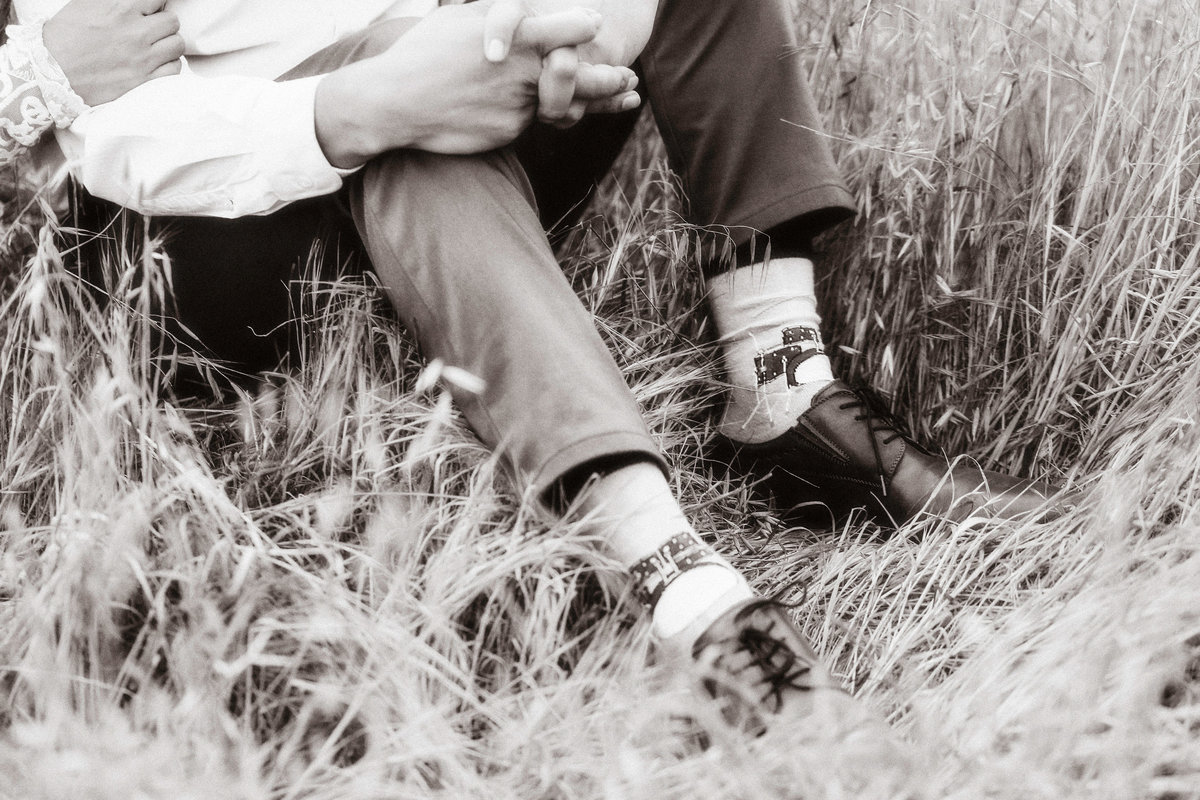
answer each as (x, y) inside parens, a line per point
(729, 92)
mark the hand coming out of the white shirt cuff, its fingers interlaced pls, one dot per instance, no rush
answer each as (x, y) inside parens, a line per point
(435, 91)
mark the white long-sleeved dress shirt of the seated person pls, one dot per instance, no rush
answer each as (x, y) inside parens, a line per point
(221, 140)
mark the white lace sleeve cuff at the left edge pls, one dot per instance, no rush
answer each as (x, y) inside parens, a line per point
(35, 95)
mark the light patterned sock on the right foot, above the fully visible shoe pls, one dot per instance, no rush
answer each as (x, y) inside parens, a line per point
(770, 334)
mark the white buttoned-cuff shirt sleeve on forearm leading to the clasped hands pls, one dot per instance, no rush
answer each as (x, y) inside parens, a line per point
(191, 146)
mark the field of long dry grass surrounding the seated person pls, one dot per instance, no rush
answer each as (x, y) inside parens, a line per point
(329, 591)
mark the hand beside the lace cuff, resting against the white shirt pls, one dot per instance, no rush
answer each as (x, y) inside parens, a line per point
(109, 47)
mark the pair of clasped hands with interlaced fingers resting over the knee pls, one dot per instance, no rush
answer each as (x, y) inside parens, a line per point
(446, 87)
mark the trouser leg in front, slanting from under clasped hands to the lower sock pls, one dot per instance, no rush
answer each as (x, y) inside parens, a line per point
(464, 257)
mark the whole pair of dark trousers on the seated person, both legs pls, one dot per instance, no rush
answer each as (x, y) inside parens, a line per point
(464, 257)
